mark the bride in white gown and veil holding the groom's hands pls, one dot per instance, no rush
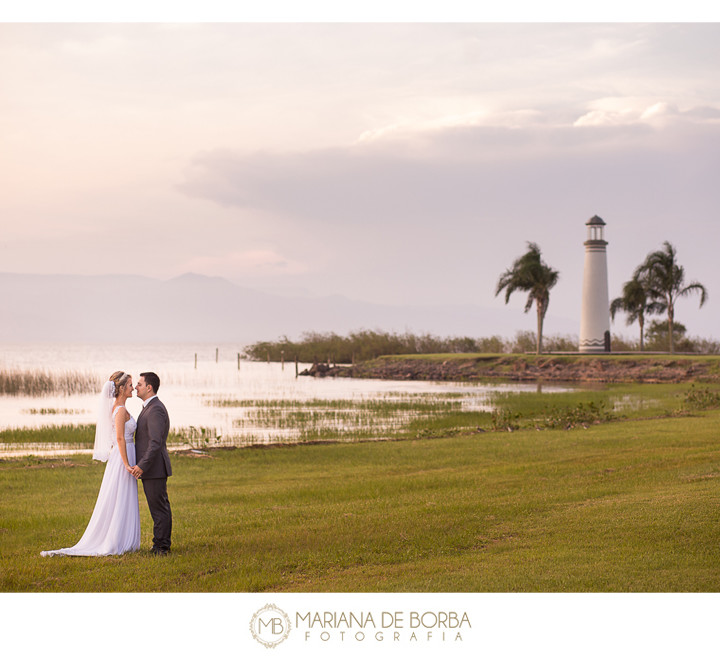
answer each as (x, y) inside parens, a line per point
(114, 527)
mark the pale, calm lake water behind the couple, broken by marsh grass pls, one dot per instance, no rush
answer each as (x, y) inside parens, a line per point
(254, 394)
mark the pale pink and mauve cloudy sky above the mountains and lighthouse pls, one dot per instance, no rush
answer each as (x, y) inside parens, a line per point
(397, 163)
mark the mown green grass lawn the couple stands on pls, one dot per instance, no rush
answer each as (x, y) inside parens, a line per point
(626, 506)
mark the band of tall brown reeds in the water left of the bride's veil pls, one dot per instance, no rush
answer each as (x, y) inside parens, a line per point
(37, 383)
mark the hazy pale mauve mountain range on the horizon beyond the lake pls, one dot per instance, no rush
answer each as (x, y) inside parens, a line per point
(196, 308)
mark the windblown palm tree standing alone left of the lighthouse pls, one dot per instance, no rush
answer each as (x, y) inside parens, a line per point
(530, 274)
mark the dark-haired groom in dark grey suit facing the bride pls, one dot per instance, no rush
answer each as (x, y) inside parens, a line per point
(153, 461)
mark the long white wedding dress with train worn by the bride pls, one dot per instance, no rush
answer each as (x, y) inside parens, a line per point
(114, 527)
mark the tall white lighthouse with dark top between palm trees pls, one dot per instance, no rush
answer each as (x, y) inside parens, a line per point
(595, 319)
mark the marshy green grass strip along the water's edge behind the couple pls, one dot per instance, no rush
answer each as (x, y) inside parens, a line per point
(427, 415)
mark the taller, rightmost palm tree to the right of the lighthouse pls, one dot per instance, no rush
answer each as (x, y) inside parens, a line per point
(665, 281)
